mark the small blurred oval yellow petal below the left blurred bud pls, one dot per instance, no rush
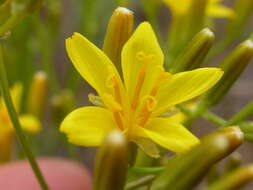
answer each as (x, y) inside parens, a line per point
(30, 123)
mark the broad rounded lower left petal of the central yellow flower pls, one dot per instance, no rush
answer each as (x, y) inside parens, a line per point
(88, 126)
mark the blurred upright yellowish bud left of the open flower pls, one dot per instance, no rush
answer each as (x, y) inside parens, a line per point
(38, 94)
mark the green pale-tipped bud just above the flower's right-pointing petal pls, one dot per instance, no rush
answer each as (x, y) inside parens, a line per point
(194, 54)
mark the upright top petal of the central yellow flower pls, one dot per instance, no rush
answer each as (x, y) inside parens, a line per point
(140, 50)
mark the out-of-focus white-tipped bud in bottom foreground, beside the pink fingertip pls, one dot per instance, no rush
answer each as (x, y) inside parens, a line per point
(111, 163)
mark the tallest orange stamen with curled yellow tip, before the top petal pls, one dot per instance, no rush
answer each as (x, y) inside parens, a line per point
(145, 60)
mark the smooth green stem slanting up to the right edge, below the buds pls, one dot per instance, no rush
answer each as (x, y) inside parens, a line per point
(241, 115)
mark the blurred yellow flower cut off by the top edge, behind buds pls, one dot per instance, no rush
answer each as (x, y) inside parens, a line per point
(214, 8)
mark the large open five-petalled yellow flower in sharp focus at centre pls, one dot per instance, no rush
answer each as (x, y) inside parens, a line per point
(135, 103)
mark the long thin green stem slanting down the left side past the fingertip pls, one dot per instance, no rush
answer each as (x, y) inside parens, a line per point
(16, 124)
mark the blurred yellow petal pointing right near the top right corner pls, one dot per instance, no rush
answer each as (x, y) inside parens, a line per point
(220, 11)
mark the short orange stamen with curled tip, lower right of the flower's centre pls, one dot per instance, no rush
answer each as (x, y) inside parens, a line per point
(149, 105)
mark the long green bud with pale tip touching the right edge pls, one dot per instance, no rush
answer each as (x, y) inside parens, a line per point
(233, 66)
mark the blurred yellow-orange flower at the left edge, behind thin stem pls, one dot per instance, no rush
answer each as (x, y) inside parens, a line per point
(28, 122)
